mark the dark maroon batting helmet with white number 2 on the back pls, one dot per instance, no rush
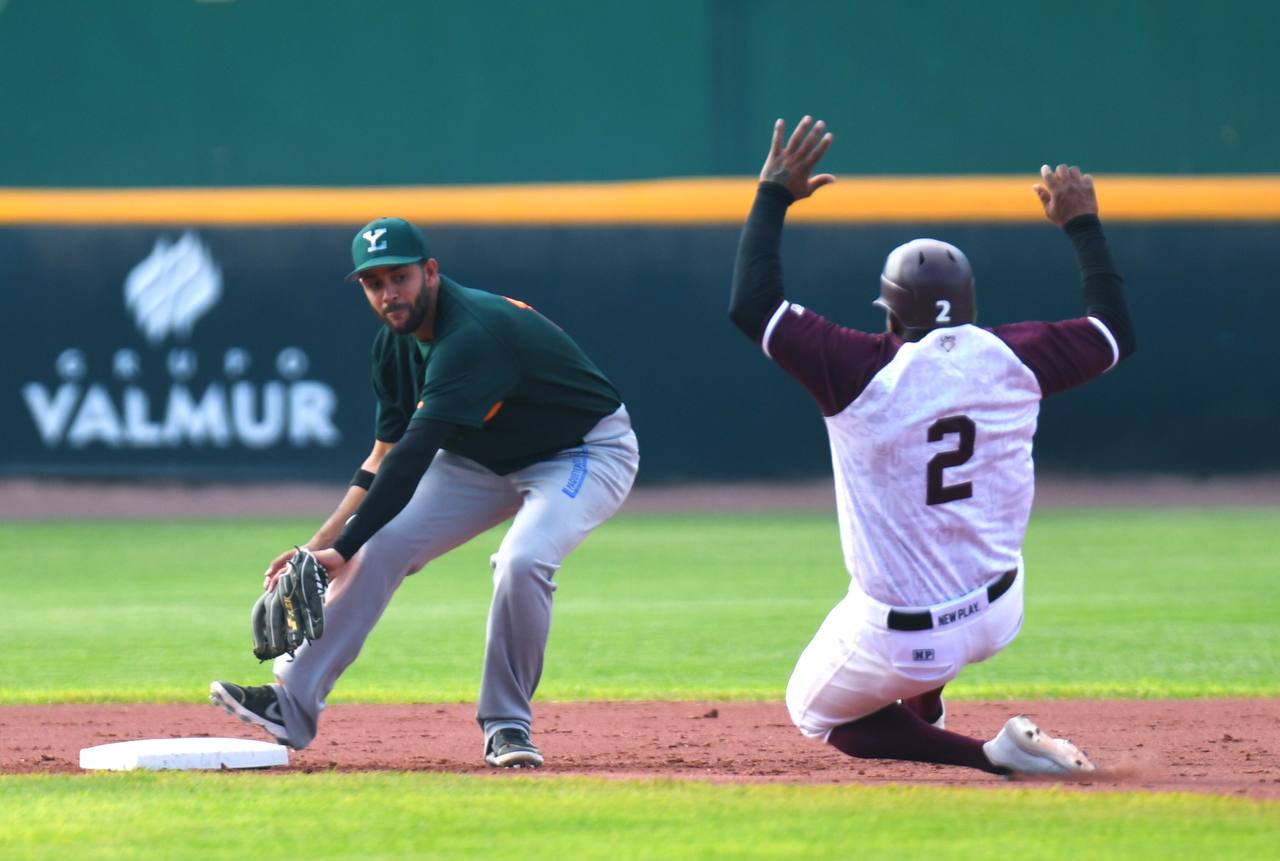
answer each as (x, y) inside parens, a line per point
(929, 285)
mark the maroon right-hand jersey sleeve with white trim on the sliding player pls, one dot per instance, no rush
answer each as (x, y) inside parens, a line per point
(1062, 355)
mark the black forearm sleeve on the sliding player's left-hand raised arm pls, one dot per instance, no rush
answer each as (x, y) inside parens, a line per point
(757, 288)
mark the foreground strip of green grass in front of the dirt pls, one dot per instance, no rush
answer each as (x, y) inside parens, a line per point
(394, 816)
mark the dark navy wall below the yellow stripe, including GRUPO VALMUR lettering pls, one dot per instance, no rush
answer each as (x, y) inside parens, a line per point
(266, 375)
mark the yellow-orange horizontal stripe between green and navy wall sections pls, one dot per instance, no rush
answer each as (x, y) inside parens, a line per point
(698, 201)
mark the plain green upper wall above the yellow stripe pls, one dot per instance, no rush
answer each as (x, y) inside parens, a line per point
(324, 93)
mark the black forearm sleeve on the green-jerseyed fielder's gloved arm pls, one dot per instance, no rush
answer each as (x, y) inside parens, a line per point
(394, 487)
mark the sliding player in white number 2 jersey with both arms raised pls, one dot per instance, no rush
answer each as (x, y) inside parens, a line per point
(931, 428)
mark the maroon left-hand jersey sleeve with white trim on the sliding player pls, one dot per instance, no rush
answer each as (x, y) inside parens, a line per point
(833, 363)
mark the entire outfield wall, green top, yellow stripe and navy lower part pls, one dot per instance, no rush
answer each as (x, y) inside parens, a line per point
(271, 130)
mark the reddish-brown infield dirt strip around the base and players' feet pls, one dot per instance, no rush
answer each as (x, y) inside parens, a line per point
(1209, 746)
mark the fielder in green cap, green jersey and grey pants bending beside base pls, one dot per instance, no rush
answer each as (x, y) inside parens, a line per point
(487, 411)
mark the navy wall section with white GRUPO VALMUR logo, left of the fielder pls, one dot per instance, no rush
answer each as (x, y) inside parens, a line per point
(207, 355)
